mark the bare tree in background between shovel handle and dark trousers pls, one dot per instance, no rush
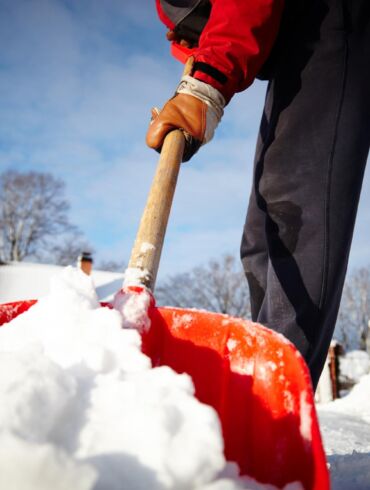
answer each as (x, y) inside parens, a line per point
(219, 286)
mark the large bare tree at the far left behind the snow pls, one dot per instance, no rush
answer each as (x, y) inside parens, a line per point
(33, 213)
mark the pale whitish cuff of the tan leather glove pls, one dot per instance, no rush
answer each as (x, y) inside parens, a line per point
(204, 92)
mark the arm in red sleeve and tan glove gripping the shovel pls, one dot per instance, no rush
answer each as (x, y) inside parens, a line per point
(233, 46)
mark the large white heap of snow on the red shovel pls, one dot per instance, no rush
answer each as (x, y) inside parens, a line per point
(81, 407)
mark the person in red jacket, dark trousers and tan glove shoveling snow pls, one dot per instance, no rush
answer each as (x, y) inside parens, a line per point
(311, 150)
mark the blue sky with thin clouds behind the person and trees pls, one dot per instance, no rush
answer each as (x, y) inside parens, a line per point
(77, 81)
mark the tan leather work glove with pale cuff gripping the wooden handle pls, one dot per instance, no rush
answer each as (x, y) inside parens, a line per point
(196, 109)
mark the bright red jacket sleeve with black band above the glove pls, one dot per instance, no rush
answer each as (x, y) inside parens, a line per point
(236, 42)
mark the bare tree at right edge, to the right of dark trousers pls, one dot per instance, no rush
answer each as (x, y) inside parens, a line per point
(354, 314)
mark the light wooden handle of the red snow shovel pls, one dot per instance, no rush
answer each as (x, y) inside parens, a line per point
(148, 245)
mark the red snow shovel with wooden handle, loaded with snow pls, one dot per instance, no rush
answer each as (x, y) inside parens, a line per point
(255, 379)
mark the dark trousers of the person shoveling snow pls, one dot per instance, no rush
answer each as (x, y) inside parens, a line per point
(309, 165)
